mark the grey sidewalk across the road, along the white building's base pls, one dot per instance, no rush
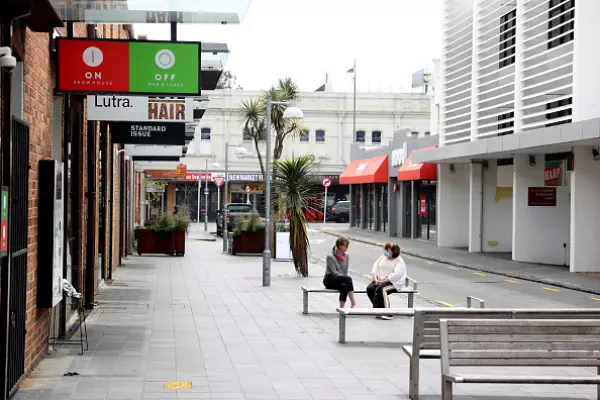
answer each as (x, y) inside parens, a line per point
(496, 264)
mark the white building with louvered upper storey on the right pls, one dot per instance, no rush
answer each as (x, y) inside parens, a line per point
(519, 130)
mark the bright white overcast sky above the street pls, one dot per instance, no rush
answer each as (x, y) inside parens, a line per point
(308, 39)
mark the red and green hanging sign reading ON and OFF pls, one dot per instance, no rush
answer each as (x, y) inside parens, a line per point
(123, 67)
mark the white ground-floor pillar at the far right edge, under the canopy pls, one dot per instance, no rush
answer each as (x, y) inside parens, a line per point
(585, 220)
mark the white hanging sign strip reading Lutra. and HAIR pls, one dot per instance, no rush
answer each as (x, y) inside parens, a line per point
(137, 108)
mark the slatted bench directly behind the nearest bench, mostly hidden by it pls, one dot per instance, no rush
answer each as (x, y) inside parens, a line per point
(426, 330)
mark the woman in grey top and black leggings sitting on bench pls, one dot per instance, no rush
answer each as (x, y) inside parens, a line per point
(336, 274)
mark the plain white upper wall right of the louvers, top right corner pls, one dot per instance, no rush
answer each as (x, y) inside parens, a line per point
(586, 80)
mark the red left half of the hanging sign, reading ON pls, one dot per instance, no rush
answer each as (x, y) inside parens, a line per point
(93, 66)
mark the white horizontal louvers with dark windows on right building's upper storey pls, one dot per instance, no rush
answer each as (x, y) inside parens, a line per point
(508, 67)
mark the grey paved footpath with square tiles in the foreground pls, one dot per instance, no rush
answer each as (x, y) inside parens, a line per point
(205, 318)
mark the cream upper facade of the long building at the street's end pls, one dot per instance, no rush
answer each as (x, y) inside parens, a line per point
(329, 111)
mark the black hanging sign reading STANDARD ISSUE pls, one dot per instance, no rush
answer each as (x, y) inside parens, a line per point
(171, 133)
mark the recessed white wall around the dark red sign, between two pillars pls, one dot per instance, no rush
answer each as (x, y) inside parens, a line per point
(538, 232)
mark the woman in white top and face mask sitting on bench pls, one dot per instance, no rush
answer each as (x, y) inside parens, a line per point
(389, 274)
